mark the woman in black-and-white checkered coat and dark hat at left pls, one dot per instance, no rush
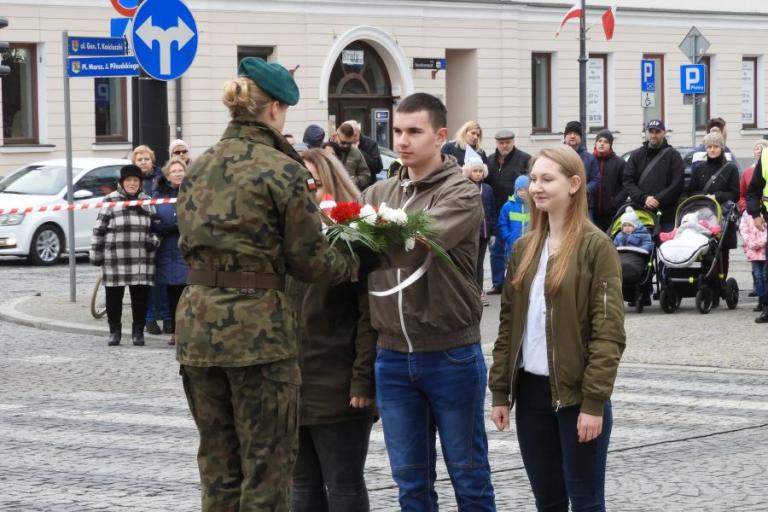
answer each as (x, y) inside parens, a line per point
(123, 246)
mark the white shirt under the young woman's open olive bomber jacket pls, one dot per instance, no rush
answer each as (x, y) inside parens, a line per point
(535, 334)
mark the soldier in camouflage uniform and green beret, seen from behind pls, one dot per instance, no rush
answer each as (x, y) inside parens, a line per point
(247, 218)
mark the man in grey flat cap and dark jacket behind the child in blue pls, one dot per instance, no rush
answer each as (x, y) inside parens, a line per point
(504, 167)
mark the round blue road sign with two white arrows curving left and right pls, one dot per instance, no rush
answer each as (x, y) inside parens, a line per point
(165, 38)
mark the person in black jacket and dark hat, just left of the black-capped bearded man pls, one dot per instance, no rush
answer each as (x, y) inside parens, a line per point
(610, 192)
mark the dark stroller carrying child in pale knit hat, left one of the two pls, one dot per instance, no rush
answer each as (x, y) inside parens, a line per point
(637, 265)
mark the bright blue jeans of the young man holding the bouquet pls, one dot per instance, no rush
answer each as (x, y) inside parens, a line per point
(422, 393)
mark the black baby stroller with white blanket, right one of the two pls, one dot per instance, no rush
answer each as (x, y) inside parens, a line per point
(691, 264)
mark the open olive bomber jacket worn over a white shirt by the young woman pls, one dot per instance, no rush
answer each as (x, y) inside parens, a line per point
(584, 327)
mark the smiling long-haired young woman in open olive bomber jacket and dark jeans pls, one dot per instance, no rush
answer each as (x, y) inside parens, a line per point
(561, 336)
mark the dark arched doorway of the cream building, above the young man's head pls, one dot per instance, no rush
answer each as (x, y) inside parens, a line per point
(360, 89)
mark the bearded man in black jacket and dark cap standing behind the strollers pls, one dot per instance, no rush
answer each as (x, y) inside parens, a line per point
(653, 176)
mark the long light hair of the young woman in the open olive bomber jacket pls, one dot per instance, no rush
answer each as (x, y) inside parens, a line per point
(575, 220)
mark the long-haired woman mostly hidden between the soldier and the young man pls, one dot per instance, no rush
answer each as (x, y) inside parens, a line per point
(337, 350)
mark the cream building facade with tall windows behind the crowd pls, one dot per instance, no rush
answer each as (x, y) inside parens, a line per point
(497, 62)
